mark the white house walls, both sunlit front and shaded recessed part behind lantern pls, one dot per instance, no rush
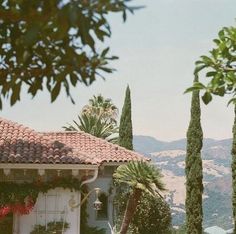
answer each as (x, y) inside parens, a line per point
(52, 206)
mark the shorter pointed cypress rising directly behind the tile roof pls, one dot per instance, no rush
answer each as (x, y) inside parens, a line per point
(125, 129)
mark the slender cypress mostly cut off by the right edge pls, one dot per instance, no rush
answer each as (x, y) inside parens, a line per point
(234, 170)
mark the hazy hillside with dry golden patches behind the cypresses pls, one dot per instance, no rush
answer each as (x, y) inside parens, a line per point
(170, 158)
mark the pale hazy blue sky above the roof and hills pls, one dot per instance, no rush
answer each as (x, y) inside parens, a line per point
(157, 47)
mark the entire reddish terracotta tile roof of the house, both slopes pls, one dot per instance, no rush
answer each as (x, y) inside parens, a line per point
(19, 144)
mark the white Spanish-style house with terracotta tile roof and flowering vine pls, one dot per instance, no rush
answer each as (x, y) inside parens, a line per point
(52, 167)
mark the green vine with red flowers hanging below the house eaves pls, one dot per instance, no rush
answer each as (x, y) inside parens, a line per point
(21, 197)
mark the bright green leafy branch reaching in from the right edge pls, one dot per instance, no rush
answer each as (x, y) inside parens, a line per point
(219, 67)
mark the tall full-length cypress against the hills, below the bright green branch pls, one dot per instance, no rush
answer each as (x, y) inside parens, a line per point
(193, 169)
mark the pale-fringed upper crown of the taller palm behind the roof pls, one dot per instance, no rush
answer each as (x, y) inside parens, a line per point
(103, 107)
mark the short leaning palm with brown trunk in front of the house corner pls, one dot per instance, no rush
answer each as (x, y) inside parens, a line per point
(140, 177)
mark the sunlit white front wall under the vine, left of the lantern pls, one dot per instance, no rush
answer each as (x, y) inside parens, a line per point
(52, 206)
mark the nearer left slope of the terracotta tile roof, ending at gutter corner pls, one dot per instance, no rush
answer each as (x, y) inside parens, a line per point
(19, 144)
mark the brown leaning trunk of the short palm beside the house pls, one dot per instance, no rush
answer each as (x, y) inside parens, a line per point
(130, 210)
